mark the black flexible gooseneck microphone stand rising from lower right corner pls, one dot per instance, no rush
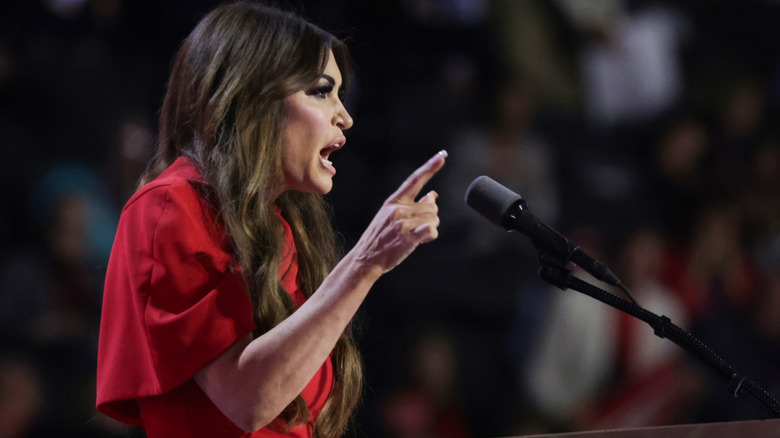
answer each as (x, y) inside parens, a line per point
(553, 271)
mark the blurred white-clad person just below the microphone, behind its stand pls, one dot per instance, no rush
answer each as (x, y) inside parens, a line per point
(572, 358)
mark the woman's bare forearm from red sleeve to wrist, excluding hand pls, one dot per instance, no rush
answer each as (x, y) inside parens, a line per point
(256, 381)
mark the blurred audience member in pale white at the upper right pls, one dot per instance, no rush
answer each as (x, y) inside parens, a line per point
(631, 60)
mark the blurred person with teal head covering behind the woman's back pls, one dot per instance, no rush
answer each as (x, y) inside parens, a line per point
(50, 290)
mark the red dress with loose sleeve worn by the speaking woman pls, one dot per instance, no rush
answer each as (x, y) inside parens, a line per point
(174, 300)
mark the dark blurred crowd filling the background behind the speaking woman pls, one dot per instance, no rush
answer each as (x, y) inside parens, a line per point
(644, 130)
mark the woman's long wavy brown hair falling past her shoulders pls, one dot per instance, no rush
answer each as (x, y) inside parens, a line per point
(224, 110)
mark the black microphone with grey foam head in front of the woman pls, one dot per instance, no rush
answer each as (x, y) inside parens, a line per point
(509, 210)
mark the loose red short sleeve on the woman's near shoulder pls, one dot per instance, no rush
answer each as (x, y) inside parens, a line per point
(172, 300)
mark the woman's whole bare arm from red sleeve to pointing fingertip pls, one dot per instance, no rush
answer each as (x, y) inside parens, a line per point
(254, 380)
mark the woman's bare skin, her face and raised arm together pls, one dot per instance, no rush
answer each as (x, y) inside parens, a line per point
(256, 378)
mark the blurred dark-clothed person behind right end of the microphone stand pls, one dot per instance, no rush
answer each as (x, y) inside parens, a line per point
(719, 282)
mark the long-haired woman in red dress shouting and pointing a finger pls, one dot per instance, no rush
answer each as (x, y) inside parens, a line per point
(226, 310)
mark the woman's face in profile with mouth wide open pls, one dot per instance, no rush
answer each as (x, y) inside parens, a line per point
(313, 129)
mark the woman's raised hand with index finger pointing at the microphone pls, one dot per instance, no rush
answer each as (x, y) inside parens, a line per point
(402, 223)
